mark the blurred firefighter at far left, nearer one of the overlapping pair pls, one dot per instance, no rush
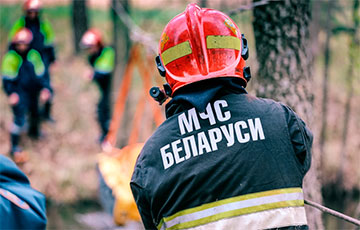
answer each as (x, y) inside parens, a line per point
(23, 81)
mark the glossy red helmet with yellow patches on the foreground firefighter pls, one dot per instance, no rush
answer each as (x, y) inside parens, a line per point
(200, 44)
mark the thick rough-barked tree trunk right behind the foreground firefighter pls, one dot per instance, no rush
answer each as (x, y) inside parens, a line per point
(281, 30)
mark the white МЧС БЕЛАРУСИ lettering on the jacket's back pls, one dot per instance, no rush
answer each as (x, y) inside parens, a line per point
(207, 141)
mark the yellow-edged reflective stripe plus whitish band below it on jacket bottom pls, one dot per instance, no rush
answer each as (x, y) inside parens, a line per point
(257, 211)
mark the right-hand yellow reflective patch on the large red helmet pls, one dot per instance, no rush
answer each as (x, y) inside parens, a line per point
(223, 42)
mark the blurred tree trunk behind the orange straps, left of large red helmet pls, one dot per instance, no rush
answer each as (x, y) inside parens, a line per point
(122, 44)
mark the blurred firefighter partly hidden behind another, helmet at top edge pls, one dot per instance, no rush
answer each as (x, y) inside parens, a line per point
(43, 42)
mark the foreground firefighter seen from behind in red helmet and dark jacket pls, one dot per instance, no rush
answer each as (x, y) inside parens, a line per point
(223, 159)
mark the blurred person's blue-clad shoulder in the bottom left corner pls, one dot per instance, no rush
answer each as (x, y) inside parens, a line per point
(21, 206)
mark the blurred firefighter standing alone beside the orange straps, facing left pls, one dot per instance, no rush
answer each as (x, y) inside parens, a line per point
(102, 60)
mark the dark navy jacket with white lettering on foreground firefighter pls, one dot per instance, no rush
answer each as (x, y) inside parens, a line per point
(233, 146)
